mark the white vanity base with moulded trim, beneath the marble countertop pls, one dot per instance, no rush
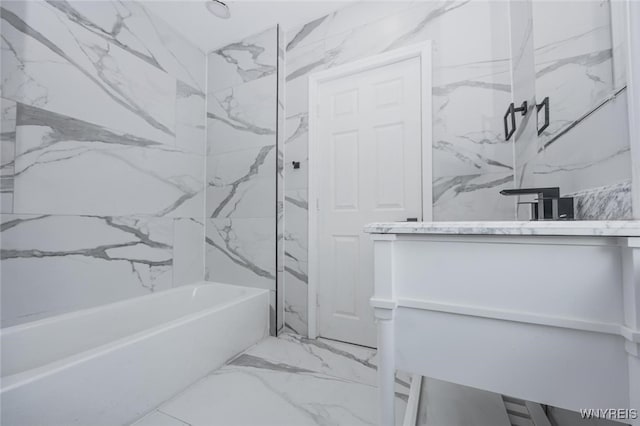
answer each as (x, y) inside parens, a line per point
(547, 318)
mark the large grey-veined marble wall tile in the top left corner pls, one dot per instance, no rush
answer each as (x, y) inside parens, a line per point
(51, 62)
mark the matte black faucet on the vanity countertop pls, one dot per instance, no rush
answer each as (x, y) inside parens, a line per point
(549, 202)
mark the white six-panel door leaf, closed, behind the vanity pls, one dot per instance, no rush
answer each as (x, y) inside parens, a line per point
(369, 147)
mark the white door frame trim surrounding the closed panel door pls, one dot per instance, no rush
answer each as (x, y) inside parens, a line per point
(423, 52)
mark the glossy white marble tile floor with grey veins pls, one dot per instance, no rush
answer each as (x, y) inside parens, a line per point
(289, 380)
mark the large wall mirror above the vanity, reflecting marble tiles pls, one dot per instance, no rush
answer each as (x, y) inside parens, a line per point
(570, 66)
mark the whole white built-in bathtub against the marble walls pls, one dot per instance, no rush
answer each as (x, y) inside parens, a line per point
(111, 364)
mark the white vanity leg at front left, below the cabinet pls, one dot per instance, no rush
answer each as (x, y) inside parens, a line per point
(386, 366)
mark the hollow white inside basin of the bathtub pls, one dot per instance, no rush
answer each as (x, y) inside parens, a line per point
(38, 343)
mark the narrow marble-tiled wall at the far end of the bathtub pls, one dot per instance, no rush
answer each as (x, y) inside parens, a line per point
(243, 164)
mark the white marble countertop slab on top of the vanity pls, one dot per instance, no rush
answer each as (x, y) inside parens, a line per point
(603, 228)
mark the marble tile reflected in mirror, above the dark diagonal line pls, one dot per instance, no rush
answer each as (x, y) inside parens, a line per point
(574, 63)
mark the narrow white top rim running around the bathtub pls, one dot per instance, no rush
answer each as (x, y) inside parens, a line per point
(10, 382)
